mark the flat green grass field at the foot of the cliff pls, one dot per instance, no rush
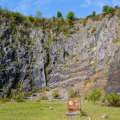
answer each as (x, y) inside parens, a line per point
(56, 110)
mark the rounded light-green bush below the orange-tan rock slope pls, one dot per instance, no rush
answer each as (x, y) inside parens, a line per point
(95, 95)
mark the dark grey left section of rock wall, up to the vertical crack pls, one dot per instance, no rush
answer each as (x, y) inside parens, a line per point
(22, 57)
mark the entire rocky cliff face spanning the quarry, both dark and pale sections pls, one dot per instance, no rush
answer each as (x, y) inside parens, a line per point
(33, 58)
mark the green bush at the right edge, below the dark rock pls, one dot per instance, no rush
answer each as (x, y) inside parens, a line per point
(113, 99)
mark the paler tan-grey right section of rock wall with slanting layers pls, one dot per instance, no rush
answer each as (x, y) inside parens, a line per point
(91, 54)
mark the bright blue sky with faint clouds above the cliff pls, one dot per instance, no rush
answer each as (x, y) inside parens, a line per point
(48, 8)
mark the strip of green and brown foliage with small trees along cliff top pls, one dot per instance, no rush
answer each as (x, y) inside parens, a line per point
(55, 24)
